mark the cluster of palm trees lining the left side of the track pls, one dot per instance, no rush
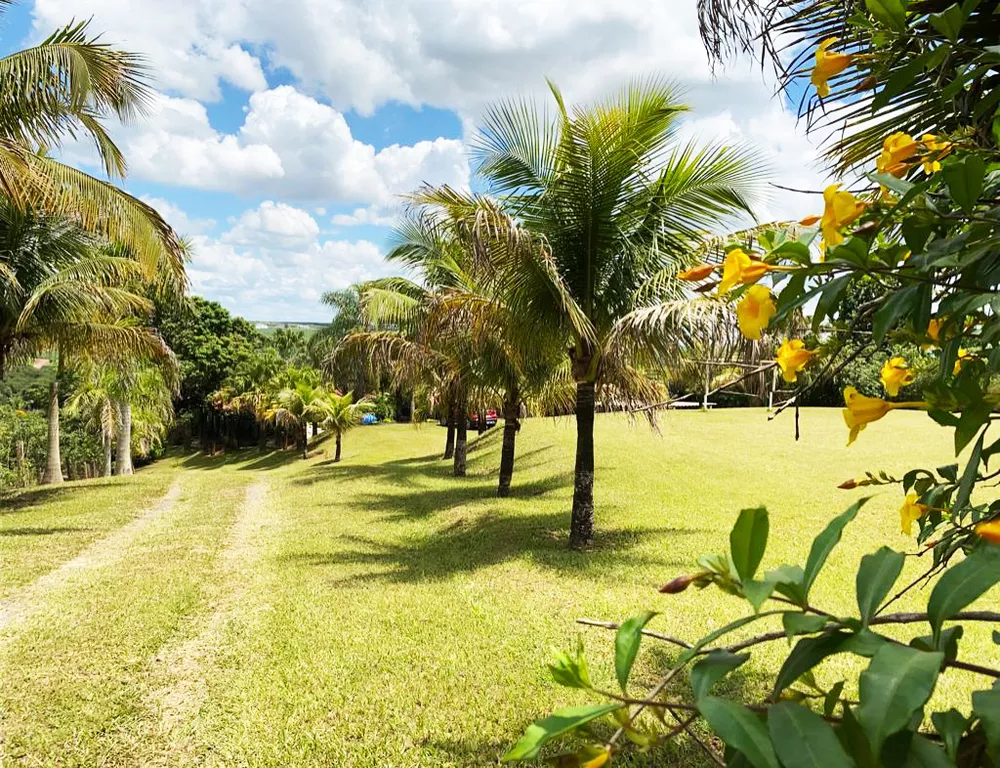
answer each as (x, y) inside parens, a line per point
(79, 257)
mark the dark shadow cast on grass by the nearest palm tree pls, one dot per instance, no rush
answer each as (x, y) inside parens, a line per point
(468, 545)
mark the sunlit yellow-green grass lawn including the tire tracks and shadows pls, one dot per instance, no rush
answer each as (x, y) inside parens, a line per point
(280, 612)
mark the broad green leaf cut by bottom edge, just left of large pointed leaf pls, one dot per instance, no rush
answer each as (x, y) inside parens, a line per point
(803, 740)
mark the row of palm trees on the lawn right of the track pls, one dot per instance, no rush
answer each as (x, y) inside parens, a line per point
(557, 286)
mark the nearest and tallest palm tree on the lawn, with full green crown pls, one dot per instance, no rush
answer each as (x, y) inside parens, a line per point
(616, 200)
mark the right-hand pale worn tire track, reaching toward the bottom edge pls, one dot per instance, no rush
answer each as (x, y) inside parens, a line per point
(188, 664)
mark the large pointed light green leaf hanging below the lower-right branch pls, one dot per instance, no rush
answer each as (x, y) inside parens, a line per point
(896, 684)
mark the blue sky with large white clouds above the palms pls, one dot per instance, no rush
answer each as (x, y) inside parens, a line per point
(282, 134)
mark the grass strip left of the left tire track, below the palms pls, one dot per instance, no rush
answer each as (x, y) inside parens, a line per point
(43, 527)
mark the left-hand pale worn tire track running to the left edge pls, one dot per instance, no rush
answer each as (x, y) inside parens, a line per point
(29, 600)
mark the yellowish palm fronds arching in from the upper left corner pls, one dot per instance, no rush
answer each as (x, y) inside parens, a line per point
(67, 86)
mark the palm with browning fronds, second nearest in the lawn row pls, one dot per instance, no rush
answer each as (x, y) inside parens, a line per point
(475, 252)
